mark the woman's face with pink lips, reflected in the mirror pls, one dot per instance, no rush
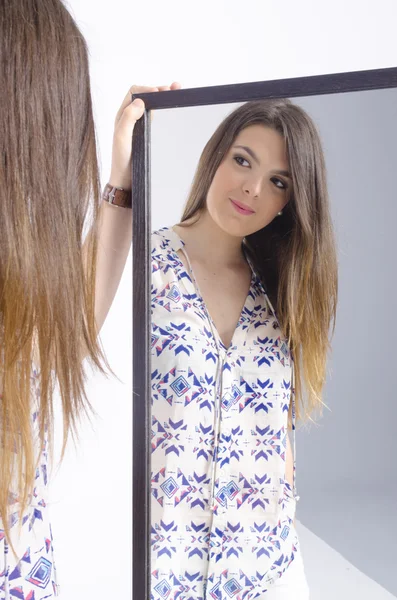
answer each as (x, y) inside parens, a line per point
(252, 184)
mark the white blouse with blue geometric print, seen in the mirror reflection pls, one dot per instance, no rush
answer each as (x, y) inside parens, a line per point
(221, 510)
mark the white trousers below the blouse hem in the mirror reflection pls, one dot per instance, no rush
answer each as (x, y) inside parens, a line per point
(292, 585)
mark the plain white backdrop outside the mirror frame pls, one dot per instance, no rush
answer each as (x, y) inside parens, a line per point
(154, 43)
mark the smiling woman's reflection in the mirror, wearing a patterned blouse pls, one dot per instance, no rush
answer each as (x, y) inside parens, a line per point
(244, 289)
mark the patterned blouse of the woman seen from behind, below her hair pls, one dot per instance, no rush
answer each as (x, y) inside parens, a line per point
(31, 575)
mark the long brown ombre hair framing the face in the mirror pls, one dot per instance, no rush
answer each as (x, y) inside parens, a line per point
(295, 254)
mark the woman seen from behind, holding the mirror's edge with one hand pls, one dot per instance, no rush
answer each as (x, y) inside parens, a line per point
(56, 291)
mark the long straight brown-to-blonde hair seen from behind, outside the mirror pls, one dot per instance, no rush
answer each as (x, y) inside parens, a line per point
(49, 183)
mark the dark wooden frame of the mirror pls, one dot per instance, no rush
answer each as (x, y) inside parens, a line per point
(141, 276)
